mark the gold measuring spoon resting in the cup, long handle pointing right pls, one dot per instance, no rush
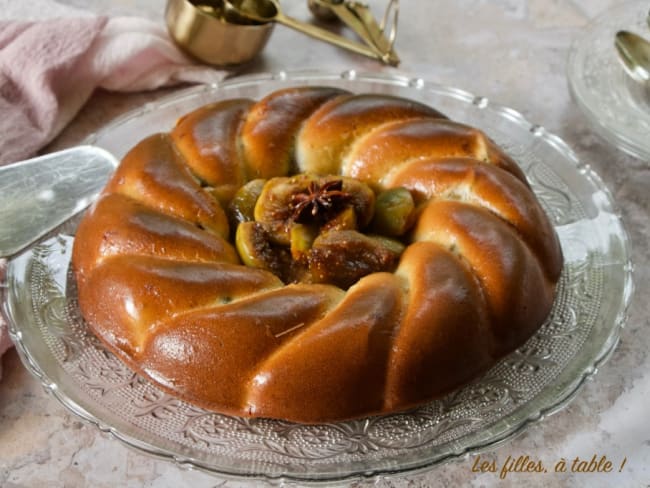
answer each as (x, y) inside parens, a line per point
(266, 11)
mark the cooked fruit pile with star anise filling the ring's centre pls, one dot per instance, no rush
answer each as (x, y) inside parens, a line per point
(320, 229)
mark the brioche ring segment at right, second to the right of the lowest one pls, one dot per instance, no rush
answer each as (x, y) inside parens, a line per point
(518, 294)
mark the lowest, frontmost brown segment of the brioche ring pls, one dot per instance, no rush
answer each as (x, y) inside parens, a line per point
(341, 359)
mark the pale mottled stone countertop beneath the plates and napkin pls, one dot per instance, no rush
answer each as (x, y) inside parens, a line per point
(511, 51)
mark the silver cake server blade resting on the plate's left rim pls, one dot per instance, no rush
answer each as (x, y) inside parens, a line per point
(39, 194)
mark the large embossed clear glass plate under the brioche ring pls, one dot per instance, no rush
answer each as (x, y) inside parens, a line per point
(40, 304)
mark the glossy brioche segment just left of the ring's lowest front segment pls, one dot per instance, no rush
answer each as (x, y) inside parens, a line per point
(209, 355)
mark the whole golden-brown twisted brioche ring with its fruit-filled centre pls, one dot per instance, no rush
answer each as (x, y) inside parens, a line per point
(315, 256)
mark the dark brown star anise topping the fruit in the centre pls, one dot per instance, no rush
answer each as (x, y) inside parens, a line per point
(319, 202)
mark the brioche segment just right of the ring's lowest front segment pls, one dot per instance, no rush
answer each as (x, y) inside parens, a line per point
(448, 315)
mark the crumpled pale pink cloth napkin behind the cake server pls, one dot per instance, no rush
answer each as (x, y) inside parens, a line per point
(49, 69)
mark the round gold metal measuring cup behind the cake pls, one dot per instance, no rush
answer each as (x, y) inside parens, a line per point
(200, 29)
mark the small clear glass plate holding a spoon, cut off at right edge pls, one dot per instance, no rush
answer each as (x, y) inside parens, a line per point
(616, 107)
